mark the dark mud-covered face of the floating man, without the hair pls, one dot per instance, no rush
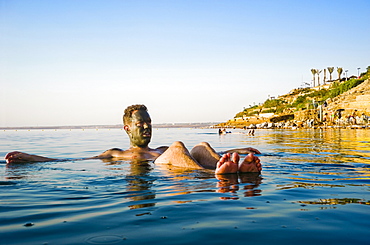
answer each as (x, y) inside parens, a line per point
(140, 129)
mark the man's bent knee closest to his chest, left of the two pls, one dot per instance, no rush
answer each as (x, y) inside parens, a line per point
(177, 155)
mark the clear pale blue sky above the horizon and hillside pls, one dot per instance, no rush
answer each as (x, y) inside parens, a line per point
(76, 62)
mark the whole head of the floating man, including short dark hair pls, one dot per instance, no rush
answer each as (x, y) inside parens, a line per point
(138, 125)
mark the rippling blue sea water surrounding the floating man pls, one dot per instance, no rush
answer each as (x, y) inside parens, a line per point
(314, 189)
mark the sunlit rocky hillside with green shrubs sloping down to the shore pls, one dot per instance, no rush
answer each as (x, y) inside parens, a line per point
(335, 103)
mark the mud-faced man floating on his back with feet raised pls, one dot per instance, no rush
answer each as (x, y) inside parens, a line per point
(137, 124)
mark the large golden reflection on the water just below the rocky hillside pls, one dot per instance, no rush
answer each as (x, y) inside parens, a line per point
(324, 146)
